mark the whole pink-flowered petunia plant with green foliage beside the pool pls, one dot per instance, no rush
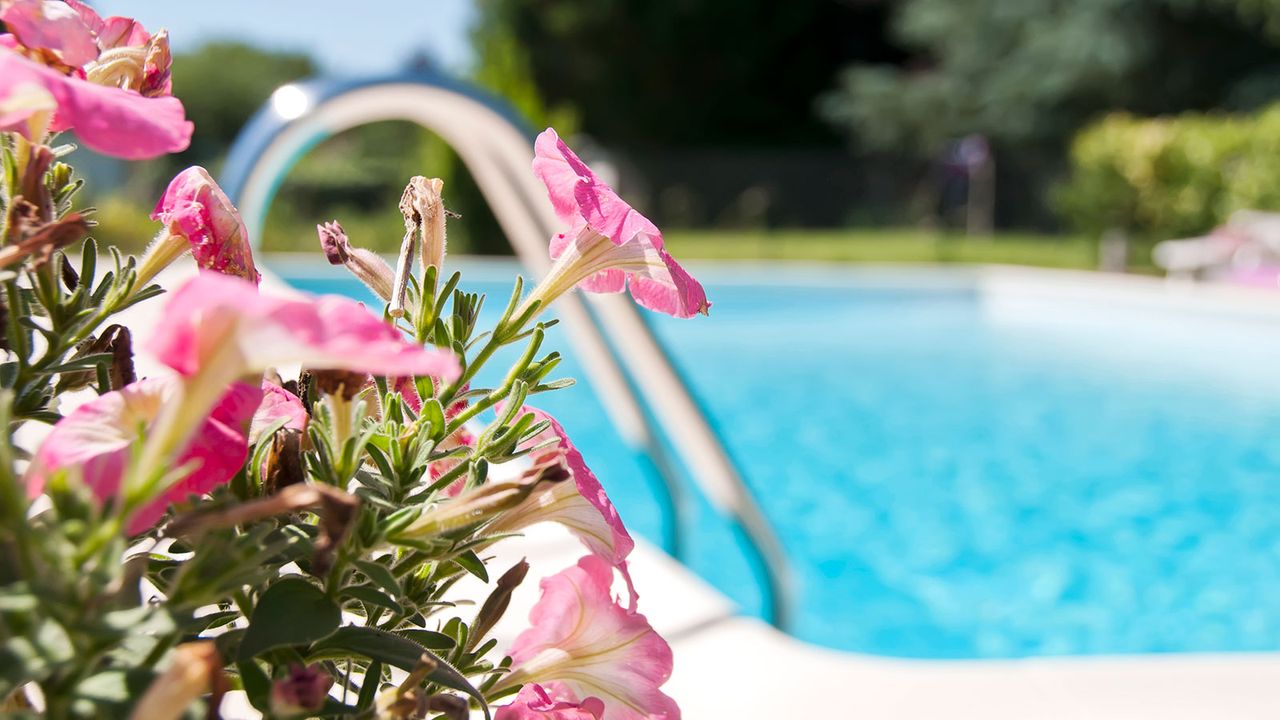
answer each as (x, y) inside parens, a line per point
(216, 527)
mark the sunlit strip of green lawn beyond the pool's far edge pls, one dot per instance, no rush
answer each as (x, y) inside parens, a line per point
(888, 247)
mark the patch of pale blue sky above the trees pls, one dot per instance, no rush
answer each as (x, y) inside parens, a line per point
(345, 38)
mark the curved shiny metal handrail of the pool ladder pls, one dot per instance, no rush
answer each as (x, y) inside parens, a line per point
(642, 391)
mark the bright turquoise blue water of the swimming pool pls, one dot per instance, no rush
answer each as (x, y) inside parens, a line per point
(952, 484)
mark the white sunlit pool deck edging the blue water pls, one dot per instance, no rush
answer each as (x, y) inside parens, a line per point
(733, 667)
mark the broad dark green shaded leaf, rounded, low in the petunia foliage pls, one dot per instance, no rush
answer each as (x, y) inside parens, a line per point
(292, 612)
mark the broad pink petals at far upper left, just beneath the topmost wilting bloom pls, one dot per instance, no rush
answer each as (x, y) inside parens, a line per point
(109, 120)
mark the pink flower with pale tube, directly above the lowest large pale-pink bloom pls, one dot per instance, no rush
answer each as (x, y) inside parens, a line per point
(582, 507)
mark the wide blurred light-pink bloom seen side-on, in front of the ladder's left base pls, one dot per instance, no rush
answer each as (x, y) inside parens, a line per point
(222, 325)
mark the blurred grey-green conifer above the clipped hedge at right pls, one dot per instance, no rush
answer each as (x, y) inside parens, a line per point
(1031, 74)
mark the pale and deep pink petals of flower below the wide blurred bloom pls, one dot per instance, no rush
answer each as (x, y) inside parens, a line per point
(97, 441)
